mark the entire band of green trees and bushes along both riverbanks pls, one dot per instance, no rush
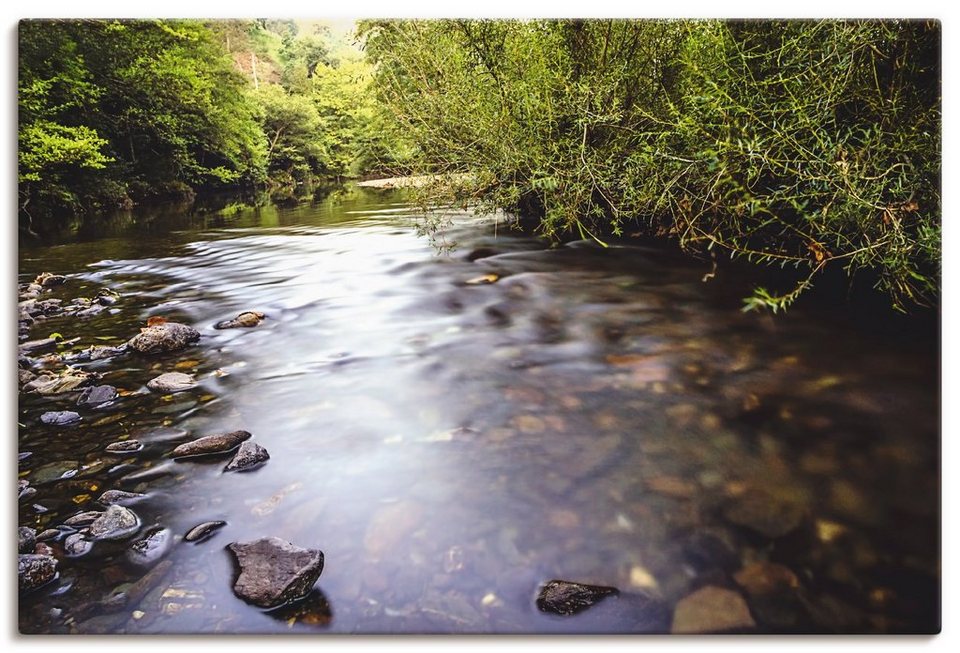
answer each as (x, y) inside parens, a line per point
(809, 146)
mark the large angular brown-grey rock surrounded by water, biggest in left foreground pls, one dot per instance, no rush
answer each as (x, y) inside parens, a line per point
(274, 572)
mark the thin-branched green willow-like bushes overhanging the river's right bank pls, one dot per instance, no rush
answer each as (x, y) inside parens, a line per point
(803, 144)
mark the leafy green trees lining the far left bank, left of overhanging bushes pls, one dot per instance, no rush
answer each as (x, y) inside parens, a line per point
(113, 113)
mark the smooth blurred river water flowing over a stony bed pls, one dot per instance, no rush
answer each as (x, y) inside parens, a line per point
(594, 415)
